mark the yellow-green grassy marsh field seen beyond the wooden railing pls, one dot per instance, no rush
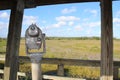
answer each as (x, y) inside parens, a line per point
(71, 48)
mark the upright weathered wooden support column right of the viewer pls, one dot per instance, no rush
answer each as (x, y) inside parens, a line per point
(106, 40)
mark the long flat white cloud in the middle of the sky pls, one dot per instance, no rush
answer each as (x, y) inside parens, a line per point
(67, 18)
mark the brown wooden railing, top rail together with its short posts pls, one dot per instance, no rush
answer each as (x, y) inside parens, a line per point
(76, 62)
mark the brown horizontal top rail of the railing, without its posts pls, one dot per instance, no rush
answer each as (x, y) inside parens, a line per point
(76, 62)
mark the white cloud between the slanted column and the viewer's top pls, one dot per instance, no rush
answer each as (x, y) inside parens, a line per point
(27, 20)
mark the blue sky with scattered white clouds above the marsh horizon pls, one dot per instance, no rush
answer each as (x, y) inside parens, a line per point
(65, 20)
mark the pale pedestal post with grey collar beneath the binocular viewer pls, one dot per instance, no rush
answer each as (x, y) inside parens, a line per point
(36, 66)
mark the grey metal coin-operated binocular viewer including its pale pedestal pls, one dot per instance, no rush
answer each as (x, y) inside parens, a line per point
(35, 40)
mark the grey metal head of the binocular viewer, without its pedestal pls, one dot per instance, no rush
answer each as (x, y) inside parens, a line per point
(34, 38)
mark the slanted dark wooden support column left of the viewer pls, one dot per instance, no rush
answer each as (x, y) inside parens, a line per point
(13, 40)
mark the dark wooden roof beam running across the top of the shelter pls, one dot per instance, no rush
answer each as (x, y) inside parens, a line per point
(5, 4)
